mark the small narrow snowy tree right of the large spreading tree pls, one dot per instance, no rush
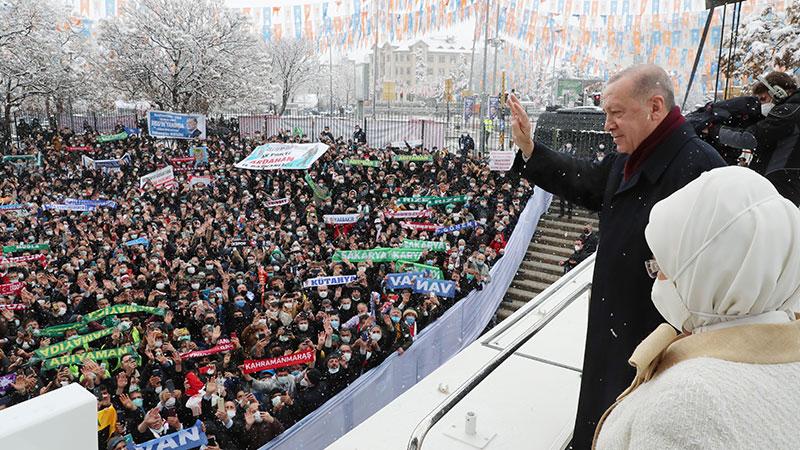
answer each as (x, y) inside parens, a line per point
(294, 64)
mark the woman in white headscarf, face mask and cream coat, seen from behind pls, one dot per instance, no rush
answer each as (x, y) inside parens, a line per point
(727, 262)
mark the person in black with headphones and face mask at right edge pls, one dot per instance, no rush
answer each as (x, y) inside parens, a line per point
(775, 140)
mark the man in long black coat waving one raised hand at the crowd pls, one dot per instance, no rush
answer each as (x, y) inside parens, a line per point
(658, 153)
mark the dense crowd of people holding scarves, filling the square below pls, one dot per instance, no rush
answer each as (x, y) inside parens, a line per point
(212, 275)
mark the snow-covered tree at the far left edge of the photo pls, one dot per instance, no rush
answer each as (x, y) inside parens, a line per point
(40, 58)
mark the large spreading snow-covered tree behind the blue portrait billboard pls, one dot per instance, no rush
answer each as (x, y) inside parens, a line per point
(183, 55)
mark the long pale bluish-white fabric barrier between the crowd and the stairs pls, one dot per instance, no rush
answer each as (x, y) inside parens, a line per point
(455, 330)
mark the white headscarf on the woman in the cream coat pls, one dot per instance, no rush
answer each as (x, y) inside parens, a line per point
(729, 245)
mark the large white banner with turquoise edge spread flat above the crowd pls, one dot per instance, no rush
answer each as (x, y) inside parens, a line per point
(283, 156)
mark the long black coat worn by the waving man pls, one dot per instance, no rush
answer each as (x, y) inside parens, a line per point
(620, 313)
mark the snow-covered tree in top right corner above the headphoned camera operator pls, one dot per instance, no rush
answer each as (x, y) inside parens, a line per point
(769, 40)
